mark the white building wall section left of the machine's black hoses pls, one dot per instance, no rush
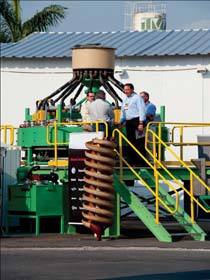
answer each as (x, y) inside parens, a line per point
(25, 81)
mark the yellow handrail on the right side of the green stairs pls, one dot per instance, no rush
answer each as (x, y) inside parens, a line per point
(156, 140)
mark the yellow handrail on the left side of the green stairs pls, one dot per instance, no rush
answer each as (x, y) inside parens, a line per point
(117, 133)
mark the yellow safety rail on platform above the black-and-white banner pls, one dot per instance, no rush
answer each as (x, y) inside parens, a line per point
(56, 143)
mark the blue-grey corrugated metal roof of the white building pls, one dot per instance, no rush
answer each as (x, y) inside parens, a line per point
(127, 43)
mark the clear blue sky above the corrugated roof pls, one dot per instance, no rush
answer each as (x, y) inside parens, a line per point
(109, 15)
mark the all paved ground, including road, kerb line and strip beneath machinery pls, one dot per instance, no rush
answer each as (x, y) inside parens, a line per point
(80, 256)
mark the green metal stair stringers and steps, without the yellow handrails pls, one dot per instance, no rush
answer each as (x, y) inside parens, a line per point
(159, 230)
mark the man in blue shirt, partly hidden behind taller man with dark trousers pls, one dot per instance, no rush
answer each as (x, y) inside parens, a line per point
(150, 116)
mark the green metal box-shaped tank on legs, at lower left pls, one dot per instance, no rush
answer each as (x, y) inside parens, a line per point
(36, 201)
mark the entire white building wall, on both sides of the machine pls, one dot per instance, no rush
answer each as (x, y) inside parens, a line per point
(171, 81)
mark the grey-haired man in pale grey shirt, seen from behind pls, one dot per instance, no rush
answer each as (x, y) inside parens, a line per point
(100, 110)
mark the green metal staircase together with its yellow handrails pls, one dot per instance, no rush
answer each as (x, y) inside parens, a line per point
(151, 178)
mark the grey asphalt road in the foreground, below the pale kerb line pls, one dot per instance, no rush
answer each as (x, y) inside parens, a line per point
(104, 263)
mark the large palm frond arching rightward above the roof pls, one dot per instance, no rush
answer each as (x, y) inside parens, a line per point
(41, 21)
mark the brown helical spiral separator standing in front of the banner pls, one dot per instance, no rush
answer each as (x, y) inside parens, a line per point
(98, 189)
